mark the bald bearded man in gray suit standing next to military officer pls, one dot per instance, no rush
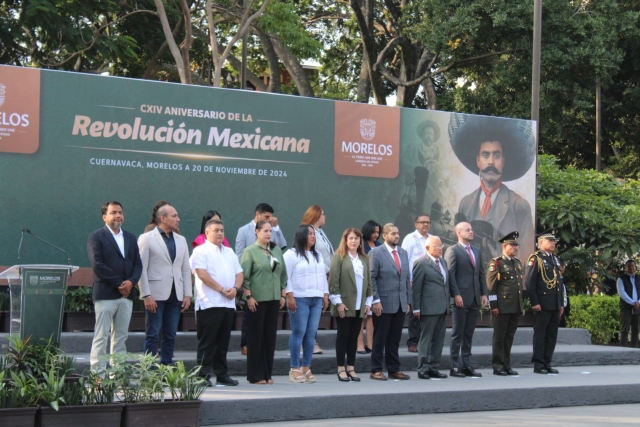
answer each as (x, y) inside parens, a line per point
(468, 287)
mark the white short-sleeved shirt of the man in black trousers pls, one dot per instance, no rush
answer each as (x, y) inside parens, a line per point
(222, 265)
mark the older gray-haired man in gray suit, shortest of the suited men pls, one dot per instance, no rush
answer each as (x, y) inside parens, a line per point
(430, 304)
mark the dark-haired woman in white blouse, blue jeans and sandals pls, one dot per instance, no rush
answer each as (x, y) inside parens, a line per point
(307, 296)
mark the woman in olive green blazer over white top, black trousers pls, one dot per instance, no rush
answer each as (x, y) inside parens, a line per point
(351, 295)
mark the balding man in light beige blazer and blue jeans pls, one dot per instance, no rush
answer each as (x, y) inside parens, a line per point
(165, 283)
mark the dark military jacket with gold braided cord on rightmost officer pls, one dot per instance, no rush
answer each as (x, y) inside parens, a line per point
(543, 281)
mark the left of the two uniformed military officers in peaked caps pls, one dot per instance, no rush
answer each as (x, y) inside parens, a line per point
(504, 280)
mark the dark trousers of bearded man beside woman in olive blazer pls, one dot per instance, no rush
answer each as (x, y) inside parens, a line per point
(387, 333)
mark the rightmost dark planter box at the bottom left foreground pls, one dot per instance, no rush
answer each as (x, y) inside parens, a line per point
(161, 414)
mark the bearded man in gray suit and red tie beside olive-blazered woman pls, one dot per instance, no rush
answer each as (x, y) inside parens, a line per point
(389, 266)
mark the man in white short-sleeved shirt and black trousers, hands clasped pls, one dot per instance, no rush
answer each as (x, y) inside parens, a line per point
(219, 278)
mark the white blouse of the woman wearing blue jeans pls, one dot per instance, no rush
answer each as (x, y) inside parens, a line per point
(307, 279)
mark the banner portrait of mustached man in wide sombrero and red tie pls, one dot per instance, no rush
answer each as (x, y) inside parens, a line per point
(498, 150)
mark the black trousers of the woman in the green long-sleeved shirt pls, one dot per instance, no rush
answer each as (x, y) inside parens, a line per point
(262, 329)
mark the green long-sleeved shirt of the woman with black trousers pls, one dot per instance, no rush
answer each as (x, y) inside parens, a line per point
(263, 284)
